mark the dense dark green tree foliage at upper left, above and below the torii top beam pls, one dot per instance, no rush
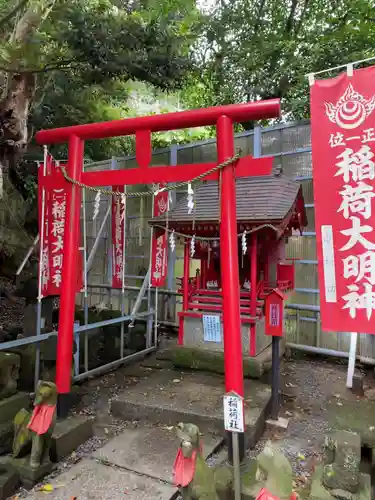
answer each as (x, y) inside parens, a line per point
(86, 55)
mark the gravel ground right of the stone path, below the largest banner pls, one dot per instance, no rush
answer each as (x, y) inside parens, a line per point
(307, 385)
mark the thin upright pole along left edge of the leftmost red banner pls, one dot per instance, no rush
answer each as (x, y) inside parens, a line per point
(40, 270)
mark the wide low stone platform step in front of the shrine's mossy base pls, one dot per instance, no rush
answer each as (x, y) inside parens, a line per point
(172, 396)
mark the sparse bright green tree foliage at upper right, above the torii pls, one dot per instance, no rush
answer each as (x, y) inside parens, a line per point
(262, 49)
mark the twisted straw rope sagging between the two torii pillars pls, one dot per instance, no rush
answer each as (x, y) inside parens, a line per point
(137, 194)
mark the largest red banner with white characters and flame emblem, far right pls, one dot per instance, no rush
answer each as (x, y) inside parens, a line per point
(343, 145)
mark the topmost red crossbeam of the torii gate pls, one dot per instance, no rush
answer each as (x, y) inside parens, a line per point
(158, 123)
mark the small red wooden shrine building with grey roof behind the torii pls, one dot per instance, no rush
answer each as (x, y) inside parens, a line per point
(269, 208)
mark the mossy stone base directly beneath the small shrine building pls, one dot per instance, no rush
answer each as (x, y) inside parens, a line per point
(199, 358)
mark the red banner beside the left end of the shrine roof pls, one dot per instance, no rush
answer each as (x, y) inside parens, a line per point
(159, 242)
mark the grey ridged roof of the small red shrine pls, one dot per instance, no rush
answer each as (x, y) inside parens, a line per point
(259, 199)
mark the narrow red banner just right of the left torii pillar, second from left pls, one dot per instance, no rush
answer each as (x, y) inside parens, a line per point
(118, 228)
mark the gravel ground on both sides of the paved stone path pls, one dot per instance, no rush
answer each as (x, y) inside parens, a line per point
(307, 385)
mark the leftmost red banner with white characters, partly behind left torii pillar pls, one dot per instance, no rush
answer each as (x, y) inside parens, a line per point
(53, 233)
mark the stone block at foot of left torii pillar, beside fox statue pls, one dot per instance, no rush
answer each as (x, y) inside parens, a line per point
(68, 435)
